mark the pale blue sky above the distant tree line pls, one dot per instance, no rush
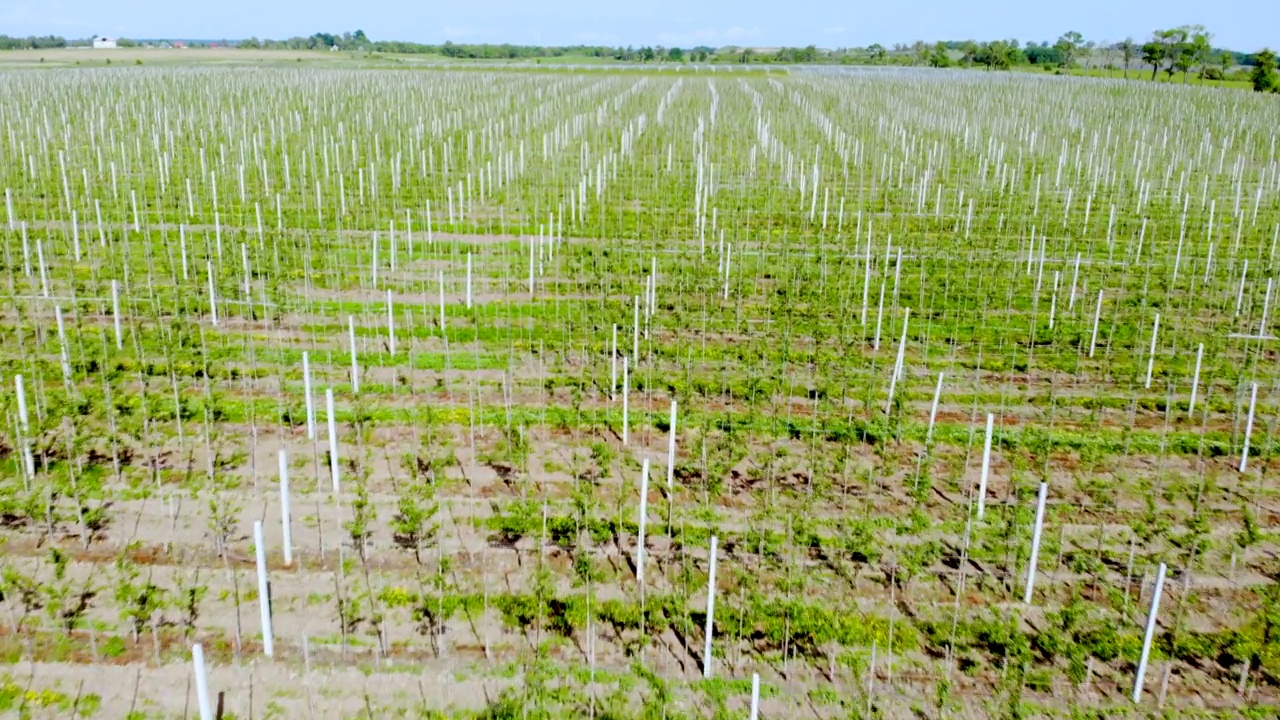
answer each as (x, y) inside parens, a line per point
(1242, 25)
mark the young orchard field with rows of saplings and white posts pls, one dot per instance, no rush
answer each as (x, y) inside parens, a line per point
(525, 353)
